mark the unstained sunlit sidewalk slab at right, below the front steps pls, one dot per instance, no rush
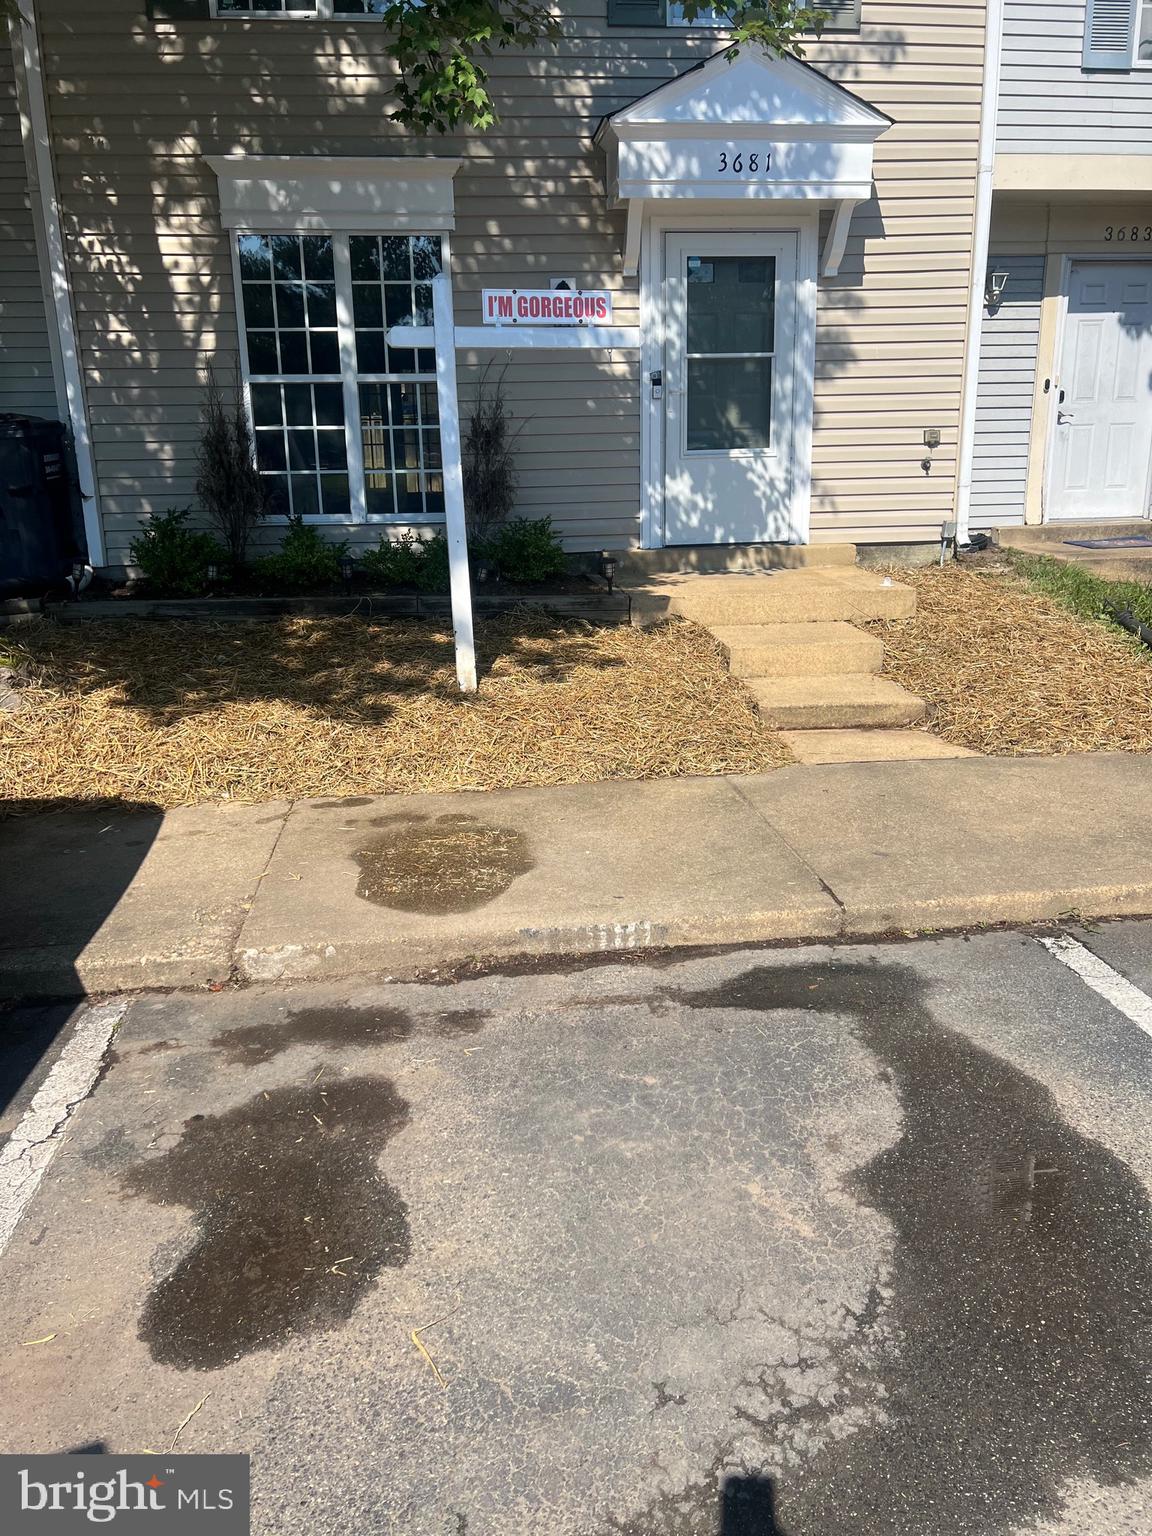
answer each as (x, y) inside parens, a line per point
(919, 846)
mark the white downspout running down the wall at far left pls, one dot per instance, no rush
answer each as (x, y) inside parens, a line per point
(55, 259)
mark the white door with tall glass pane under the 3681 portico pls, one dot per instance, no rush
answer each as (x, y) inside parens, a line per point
(730, 385)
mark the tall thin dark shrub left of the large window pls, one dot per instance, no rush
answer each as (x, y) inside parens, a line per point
(233, 494)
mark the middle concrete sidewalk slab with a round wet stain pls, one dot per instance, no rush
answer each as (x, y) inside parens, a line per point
(380, 886)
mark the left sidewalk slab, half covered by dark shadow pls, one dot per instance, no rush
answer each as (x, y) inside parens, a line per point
(99, 901)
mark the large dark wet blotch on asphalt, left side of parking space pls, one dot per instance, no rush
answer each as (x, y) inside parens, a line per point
(294, 1220)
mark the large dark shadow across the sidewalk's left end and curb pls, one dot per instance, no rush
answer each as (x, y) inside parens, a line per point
(64, 867)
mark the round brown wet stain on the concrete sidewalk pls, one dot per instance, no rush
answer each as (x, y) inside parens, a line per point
(454, 864)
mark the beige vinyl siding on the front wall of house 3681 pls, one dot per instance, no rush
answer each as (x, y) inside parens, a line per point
(136, 108)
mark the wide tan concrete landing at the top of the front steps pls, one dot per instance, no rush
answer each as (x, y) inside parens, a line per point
(798, 597)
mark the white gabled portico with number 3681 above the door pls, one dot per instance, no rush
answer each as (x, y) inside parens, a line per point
(743, 130)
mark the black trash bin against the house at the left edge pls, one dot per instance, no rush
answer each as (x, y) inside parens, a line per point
(39, 540)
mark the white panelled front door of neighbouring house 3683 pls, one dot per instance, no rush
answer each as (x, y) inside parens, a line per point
(1104, 425)
